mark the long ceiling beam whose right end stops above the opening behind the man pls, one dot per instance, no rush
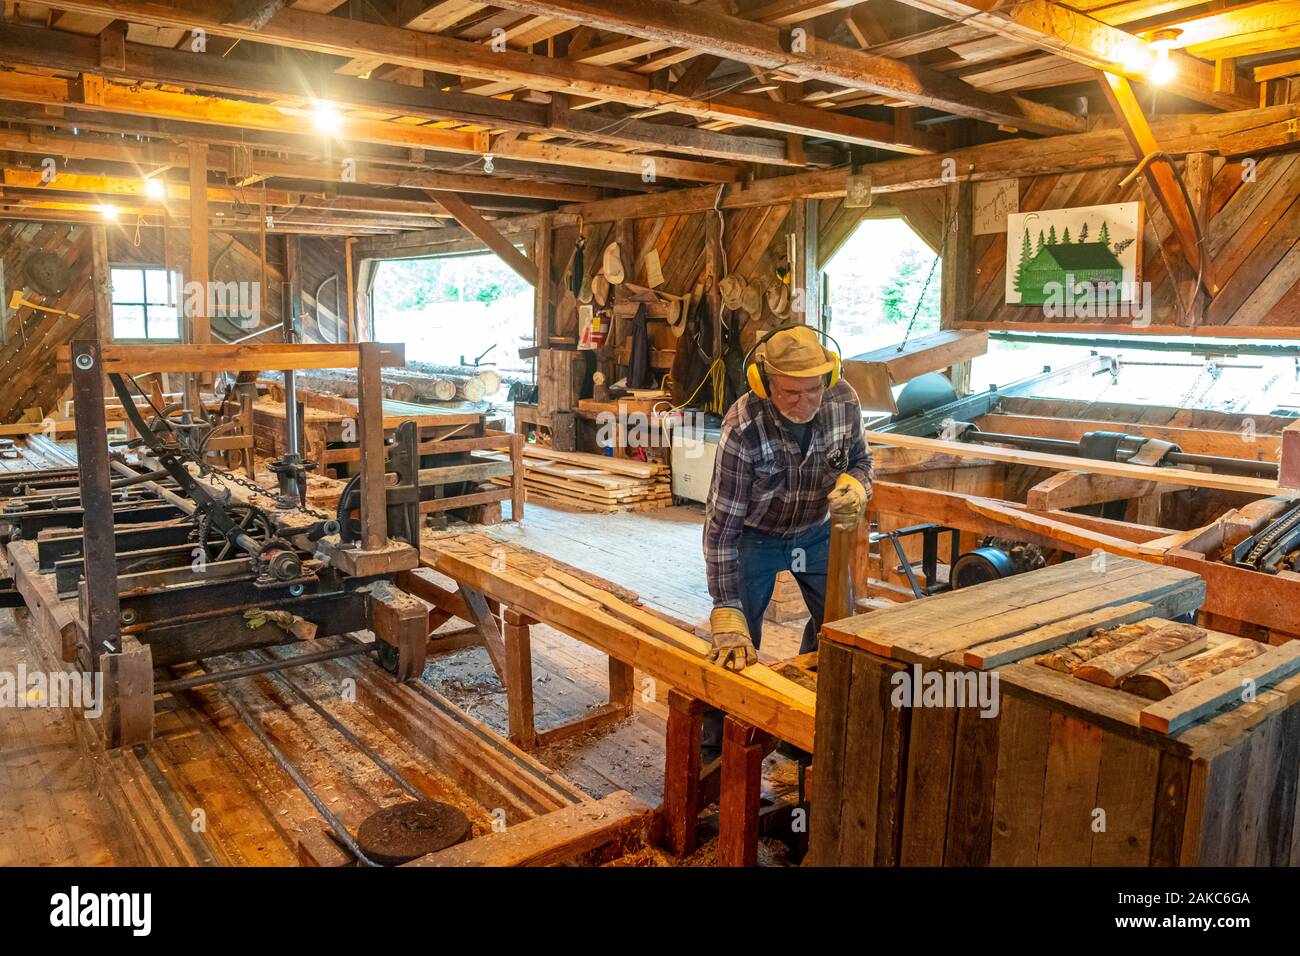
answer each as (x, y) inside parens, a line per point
(323, 34)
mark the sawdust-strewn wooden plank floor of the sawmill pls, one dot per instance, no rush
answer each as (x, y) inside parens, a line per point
(63, 801)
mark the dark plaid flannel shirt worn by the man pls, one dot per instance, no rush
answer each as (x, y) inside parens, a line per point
(762, 482)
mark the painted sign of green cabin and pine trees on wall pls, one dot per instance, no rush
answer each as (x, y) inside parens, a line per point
(1065, 253)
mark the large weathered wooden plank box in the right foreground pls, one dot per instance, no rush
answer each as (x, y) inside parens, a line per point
(944, 786)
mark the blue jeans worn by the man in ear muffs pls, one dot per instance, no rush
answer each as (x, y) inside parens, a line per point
(762, 557)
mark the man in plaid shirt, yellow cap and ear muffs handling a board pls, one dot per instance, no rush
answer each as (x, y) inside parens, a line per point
(787, 465)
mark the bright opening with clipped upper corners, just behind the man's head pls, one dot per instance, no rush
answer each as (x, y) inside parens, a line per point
(881, 279)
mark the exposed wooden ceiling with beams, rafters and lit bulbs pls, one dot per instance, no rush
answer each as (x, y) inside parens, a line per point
(573, 101)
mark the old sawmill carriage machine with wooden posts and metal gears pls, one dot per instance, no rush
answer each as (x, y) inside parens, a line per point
(171, 559)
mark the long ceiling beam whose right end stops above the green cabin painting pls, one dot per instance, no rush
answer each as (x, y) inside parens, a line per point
(760, 45)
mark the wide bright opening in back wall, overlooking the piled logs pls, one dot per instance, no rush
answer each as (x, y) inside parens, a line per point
(456, 310)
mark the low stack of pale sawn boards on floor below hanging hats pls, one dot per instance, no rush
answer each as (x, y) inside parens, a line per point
(595, 483)
